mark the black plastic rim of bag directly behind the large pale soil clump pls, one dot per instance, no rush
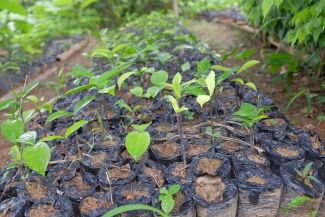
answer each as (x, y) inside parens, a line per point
(224, 169)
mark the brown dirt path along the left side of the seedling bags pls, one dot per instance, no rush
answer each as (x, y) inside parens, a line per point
(46, 89)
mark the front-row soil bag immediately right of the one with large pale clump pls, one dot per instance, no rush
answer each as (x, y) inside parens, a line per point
(259, 193)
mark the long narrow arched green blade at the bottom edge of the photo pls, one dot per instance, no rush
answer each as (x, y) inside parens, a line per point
(127, 208)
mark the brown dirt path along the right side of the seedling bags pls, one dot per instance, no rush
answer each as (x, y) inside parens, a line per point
(224, 38)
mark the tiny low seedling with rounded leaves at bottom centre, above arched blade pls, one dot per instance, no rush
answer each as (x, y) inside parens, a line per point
(166, 197)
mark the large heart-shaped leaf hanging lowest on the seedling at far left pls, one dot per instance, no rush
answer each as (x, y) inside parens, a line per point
(37, 157)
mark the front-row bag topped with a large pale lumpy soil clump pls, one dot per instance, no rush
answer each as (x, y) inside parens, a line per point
(215, 196)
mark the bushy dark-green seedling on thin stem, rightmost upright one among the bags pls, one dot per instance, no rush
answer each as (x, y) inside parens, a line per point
(249, 115)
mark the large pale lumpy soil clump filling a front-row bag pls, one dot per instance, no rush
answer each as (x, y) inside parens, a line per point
(210, 188)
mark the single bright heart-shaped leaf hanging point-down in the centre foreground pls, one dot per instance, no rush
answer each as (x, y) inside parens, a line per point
(137, 143)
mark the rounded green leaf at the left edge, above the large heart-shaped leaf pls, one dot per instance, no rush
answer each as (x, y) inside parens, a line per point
(12, 129)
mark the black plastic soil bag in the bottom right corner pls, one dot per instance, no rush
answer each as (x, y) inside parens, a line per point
(294, 186)
